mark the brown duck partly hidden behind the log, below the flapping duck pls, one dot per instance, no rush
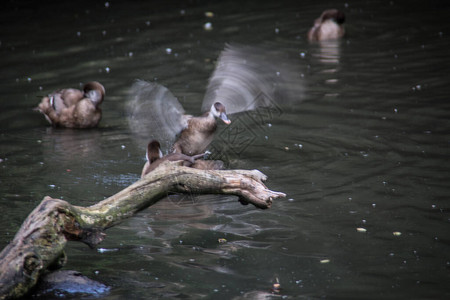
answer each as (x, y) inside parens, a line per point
(155, 158)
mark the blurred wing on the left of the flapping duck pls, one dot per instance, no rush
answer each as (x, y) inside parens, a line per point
(155, 113)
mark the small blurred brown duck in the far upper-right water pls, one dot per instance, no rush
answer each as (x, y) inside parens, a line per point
(329, 26)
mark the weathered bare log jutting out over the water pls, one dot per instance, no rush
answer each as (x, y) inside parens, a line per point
(39, 244)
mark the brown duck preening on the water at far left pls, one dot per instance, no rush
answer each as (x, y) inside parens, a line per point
(74, 108)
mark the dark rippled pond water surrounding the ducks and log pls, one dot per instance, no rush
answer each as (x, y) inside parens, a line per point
(365, 146)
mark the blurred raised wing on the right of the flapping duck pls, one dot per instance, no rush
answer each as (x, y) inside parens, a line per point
(248, 77)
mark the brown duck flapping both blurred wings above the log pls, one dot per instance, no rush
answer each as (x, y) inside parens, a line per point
(245, 79)
